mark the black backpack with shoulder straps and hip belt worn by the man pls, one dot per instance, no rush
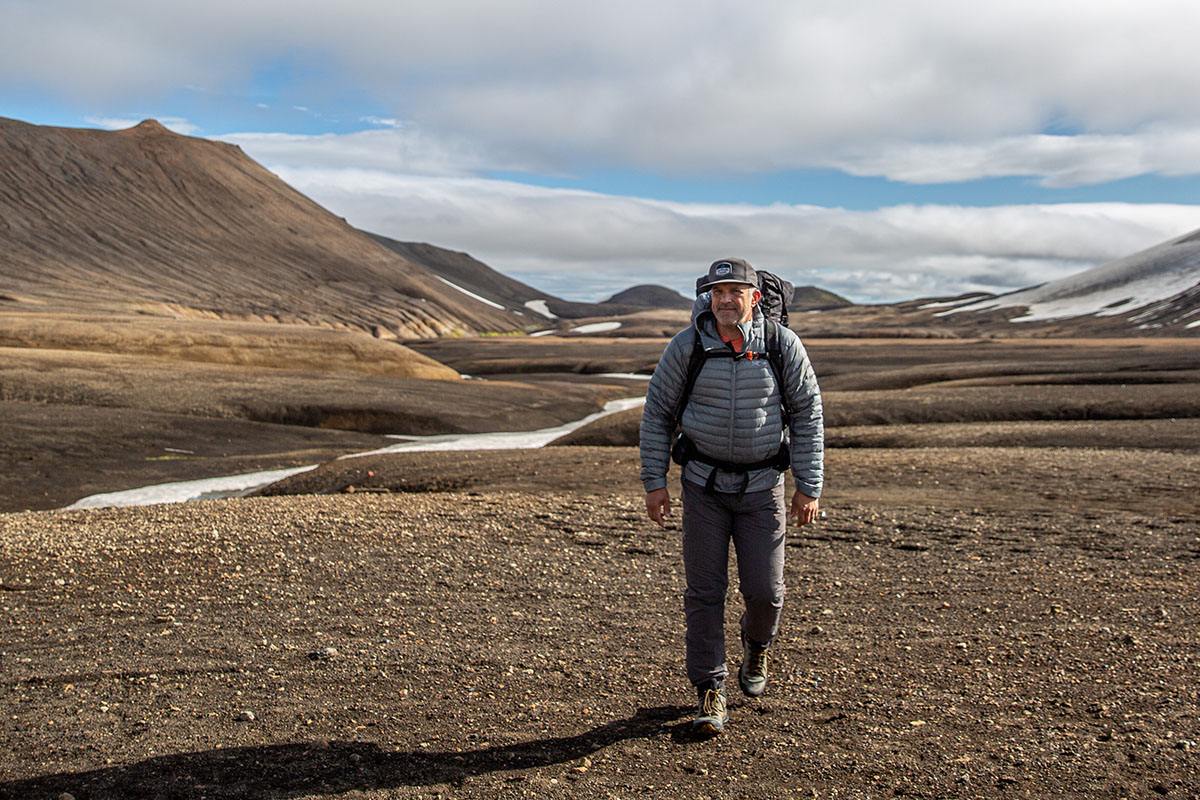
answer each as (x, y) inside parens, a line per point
(777, 294)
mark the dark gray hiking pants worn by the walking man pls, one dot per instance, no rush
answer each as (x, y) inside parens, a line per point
(758, 526)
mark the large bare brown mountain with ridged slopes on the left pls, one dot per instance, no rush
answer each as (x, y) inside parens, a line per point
(148, 220)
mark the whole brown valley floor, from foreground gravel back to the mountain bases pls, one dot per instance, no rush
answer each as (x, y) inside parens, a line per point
(1000, 603)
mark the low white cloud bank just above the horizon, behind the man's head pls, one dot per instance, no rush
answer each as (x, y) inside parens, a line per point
(587, 246)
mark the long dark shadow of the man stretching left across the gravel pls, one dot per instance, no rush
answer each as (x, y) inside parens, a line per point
(328, 769)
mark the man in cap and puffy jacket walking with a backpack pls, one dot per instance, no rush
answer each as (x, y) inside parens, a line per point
(742, 390)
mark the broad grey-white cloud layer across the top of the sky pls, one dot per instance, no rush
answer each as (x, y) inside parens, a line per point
(927, 89)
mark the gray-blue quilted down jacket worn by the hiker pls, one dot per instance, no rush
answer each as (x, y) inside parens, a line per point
(735, 413)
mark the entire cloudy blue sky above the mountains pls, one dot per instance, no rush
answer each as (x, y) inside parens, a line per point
(883, 151)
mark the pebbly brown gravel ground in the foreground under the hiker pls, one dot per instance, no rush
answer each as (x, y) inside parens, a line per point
(485, 643)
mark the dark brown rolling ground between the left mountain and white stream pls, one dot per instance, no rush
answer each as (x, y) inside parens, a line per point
(75, 424)
